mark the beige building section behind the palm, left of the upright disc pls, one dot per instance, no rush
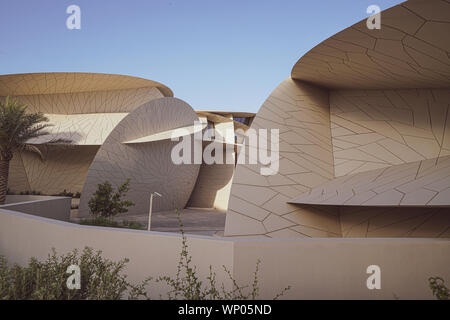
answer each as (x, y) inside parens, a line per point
(81, 107)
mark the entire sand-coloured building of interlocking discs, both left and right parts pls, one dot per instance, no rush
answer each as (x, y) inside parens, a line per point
(364, 133)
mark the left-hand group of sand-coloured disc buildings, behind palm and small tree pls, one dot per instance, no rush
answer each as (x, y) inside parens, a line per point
(119, 128)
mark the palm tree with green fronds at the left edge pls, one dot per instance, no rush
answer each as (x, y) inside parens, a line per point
(16, 128)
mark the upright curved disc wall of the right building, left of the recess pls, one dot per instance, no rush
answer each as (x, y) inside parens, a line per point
(258, 204)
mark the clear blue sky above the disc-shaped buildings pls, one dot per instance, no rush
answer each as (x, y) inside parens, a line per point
(214, 54)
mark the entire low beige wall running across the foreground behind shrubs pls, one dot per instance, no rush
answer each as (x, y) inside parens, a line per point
(314, 268)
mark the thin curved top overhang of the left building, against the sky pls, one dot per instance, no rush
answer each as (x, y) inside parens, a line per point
(72, 82)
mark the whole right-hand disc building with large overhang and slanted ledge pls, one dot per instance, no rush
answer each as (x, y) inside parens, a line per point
(364, 136)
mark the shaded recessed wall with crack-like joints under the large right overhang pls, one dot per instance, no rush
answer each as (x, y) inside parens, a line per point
(374, 129)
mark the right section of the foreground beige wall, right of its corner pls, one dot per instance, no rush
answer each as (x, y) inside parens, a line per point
(336, 268)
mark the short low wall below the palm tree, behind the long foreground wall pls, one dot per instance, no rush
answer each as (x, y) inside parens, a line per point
(57, 208)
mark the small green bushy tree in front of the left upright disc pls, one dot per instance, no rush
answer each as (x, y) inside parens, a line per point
(107, 203)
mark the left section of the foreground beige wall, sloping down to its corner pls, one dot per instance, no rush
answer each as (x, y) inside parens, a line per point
(151, 253)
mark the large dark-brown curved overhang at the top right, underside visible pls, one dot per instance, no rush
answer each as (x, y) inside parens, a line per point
(411, 50)
